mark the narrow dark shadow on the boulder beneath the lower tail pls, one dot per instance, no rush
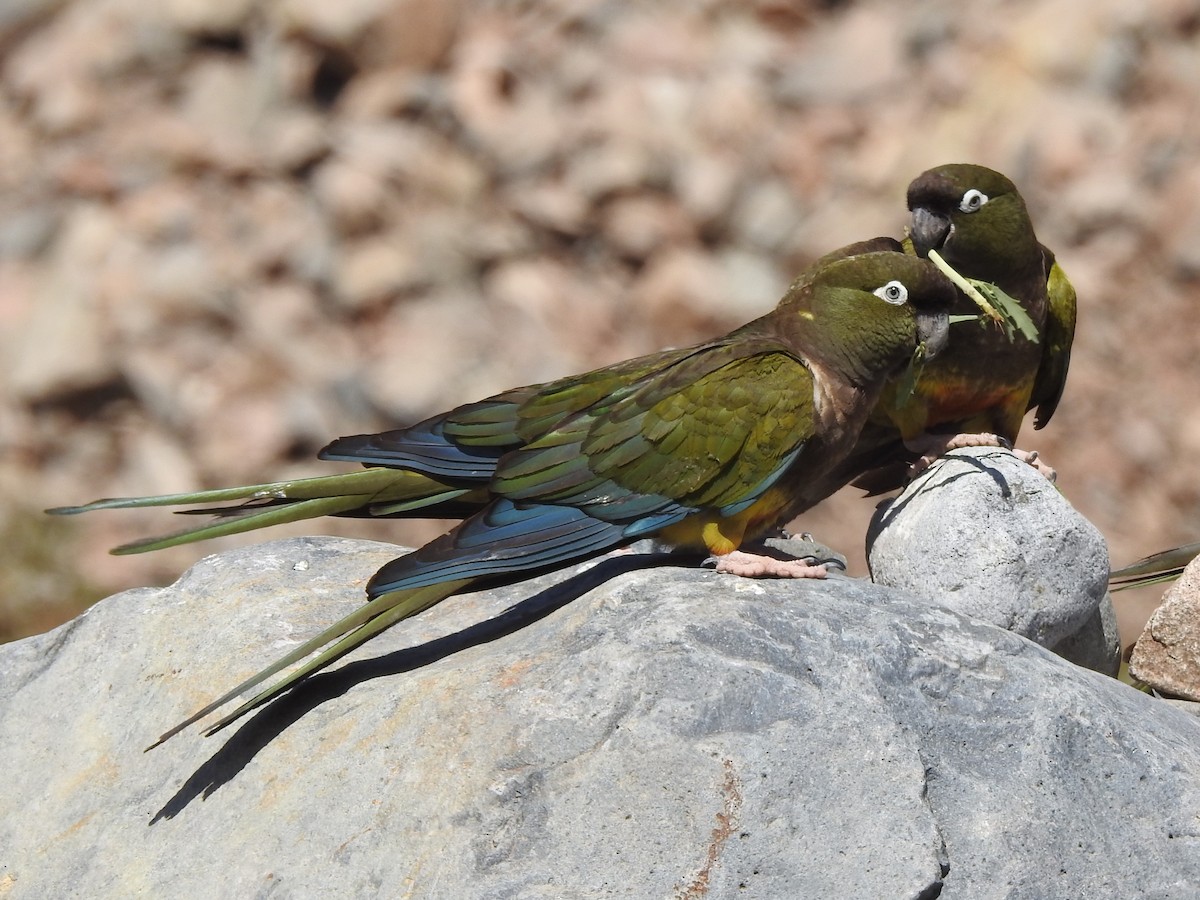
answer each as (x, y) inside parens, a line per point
(292, 706)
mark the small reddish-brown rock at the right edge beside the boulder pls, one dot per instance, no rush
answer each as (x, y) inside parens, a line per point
(1167, 656)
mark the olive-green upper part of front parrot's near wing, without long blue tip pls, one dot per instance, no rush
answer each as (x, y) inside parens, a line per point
(712, 431)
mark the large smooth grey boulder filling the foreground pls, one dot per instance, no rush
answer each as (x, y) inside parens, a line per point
(604, 733)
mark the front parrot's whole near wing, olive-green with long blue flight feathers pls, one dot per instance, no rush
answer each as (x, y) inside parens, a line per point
(710, 435)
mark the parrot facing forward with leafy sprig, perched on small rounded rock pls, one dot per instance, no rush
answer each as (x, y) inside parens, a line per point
(979, 392)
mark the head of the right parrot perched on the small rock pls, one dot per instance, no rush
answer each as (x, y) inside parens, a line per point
(973, 217)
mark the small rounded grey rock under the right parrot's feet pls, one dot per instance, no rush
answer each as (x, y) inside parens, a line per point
(981, 532)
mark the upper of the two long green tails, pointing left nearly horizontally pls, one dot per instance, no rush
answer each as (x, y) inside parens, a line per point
(382, 493)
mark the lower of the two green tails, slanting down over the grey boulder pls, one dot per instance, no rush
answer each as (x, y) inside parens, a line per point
(361, 626)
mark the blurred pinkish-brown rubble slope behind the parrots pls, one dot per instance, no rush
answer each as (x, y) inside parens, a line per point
(232, 230)
